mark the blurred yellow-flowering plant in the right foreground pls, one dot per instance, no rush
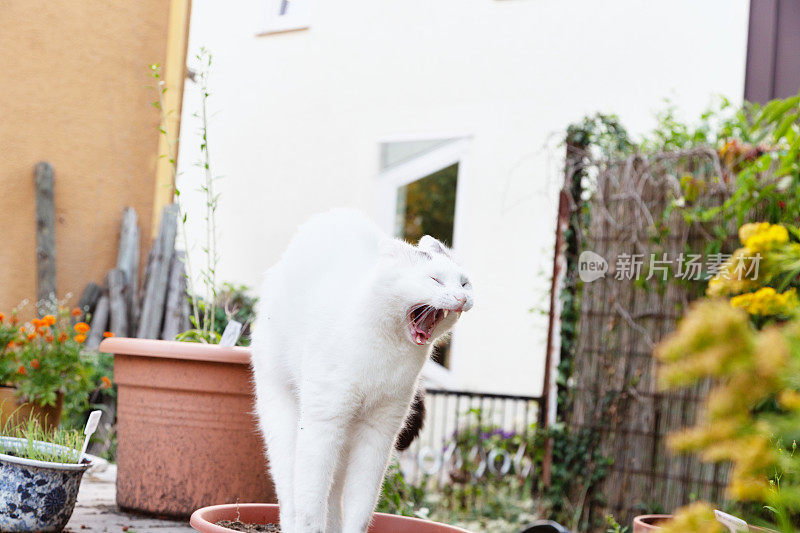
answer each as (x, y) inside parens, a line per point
(748, 347)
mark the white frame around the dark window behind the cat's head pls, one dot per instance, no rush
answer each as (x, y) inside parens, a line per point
(391, 179)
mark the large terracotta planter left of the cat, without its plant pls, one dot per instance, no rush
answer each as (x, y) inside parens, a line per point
(186, 433)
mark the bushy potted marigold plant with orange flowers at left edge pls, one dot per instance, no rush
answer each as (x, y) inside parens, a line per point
(43, 360)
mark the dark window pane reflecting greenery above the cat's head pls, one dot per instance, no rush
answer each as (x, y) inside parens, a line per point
(427, 206)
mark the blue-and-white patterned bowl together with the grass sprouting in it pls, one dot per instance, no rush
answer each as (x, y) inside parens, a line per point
(40, 473)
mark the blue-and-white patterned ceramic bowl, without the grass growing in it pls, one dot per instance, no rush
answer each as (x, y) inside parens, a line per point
(36, 495)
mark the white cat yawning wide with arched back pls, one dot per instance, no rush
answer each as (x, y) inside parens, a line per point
(346, 320)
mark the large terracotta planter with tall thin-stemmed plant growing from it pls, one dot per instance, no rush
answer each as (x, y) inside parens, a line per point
(186, 433)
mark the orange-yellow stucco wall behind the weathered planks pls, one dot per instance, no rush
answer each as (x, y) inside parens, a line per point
(74, 92)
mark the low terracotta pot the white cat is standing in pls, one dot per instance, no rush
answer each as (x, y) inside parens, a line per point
(262, 513)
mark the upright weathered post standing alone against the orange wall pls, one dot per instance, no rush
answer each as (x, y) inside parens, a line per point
(45, 237)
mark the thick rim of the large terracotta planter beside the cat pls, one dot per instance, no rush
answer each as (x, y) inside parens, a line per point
(193, 351)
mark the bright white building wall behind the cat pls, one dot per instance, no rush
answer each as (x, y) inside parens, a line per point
(299, 117)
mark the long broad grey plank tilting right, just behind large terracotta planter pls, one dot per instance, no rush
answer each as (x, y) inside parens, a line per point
(155, 294)
